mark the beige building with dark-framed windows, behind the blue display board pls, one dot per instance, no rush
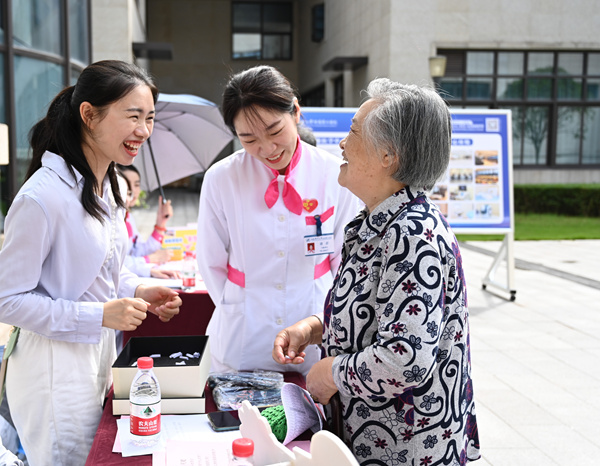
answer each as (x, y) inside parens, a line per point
(539, 59)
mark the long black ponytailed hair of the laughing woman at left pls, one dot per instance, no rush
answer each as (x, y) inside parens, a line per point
(61, 130)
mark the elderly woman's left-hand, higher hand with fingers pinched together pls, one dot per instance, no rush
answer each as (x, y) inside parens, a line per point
(291, 342)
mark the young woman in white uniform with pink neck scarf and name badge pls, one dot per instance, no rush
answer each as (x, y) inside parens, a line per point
(270, 227)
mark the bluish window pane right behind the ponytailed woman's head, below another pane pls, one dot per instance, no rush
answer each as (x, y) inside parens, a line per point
(36, 84)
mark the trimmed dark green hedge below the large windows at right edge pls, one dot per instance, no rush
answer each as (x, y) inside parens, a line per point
(570, 200)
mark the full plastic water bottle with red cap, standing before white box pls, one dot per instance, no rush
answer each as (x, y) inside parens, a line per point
(144, 405)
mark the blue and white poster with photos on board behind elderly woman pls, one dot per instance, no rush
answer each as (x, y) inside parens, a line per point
(475, 194)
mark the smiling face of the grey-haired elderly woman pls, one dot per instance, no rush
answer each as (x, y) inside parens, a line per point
(362, 171)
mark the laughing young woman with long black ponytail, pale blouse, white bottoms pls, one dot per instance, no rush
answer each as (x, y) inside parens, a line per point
(61, 279)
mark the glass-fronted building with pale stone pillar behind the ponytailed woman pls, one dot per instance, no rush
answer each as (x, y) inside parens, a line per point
(44, 45)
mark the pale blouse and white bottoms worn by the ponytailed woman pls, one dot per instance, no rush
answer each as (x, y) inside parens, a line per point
(56, 272)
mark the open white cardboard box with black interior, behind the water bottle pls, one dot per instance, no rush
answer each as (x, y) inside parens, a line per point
(175, 381)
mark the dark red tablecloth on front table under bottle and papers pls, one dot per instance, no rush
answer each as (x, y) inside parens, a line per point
(101, 452)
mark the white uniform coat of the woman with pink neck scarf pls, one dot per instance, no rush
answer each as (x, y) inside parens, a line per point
(236, 227)
